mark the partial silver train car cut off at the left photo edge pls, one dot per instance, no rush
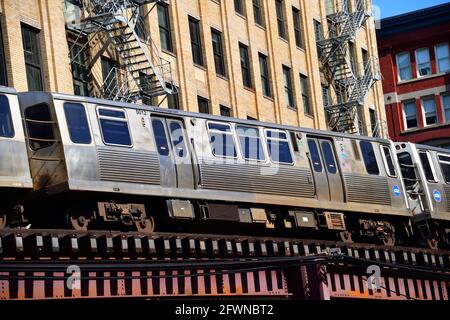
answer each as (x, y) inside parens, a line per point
(15, 177)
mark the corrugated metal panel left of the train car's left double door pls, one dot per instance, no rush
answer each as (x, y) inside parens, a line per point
(128, 166)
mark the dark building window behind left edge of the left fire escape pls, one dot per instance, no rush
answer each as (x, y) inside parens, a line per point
(79, 70)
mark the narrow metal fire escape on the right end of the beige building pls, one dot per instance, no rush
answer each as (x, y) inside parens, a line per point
(341, 71)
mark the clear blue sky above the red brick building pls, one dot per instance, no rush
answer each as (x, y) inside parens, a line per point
(394, 7)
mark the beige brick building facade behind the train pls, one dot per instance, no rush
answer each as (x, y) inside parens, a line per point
(256, 29)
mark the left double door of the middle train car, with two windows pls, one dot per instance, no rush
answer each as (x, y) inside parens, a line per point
(175, 161)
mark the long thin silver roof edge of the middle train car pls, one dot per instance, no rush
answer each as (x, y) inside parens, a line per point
(61, 96)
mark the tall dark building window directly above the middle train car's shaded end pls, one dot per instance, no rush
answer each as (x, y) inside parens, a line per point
(30, 40)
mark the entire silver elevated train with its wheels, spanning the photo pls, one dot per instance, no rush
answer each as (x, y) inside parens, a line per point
(86, 163)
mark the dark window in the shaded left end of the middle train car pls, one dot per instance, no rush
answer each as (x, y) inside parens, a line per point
(39, 127)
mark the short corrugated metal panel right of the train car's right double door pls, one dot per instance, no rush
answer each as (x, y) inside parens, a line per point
(367, 189)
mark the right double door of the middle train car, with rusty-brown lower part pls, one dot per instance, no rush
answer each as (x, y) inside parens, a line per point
(326, 170)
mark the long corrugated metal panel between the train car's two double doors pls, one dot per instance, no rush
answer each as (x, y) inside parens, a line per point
(286, 181)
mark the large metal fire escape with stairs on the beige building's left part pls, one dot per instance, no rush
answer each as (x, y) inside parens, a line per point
(141, 73)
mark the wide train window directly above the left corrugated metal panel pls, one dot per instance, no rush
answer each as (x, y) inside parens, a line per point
(114, 126)
